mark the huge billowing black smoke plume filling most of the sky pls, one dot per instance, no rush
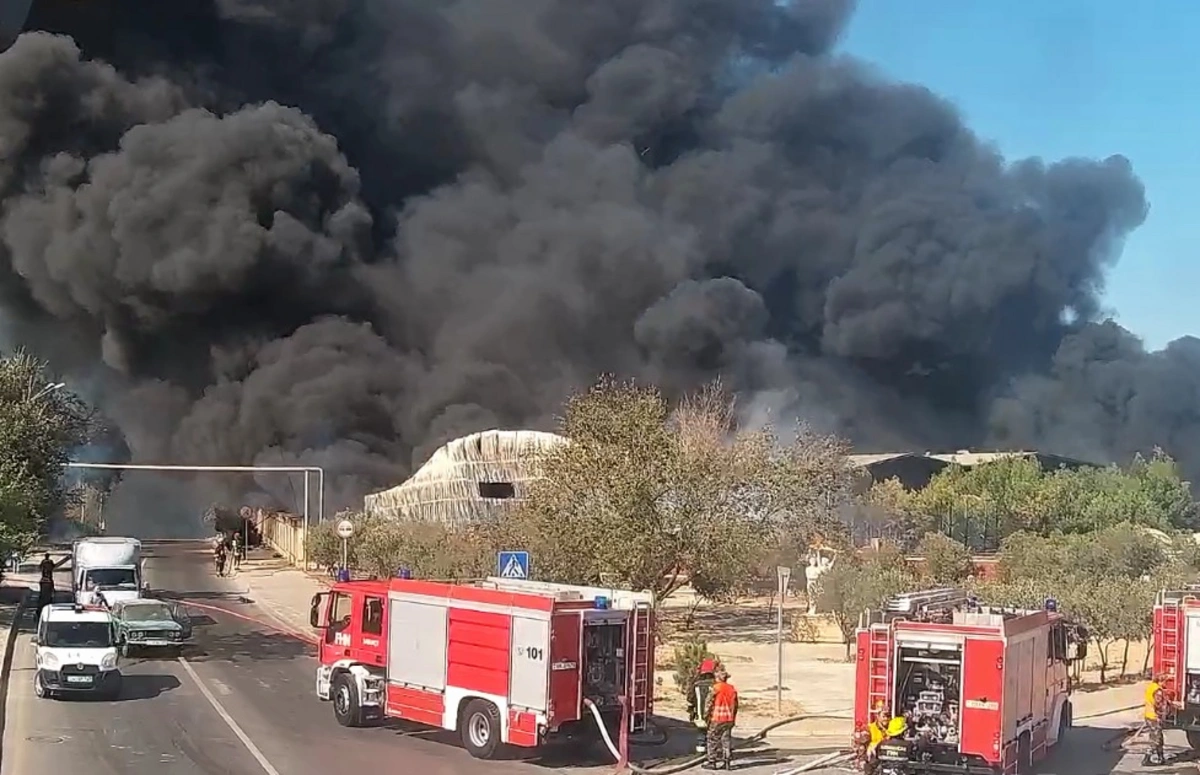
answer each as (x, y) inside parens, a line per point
(340, 232)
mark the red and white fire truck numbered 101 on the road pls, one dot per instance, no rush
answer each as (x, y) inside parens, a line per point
(501, 662)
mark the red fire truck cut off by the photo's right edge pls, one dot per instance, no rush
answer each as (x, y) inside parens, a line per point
(1177, 656)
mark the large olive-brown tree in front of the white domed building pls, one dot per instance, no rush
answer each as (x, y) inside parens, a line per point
(646, 496)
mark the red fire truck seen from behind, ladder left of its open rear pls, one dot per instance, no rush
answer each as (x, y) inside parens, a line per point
(985, 690)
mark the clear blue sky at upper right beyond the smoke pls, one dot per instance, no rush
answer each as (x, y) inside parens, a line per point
(1058, 79)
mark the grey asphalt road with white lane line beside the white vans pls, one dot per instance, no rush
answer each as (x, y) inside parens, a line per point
(242, 702)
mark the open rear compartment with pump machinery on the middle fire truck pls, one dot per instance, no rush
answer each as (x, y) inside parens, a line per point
(929, 693)
